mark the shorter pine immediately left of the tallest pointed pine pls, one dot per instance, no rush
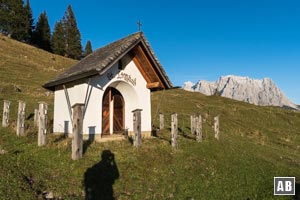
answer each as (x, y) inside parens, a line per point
(58, 41)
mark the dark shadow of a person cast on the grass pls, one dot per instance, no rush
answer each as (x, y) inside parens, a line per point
(99, 179)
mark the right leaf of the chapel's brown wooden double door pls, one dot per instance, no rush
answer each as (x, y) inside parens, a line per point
(118, 118)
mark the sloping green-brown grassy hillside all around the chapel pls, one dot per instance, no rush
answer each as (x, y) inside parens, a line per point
(256, 144)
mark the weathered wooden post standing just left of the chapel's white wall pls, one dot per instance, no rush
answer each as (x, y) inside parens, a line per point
(42, 123)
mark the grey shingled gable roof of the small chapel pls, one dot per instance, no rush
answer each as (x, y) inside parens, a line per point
(102, 59)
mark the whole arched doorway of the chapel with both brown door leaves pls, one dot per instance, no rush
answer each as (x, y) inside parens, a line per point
(112, 111)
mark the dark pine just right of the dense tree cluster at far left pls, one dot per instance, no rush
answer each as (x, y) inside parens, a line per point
(41, 34)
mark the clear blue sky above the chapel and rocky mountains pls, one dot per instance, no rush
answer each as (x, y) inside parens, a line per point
(195, 39)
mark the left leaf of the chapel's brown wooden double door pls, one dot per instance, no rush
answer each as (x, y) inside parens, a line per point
(105, 112)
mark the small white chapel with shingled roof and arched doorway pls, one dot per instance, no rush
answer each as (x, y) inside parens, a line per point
(111, 82)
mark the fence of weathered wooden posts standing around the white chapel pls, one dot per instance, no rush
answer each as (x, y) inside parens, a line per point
(41, 118)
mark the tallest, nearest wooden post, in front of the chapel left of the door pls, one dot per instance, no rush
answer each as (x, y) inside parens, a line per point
(77, 140)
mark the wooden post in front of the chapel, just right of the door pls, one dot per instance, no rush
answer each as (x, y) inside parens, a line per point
(137, 137)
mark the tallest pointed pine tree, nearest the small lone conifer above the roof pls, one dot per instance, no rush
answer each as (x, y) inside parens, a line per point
(73, 38)
